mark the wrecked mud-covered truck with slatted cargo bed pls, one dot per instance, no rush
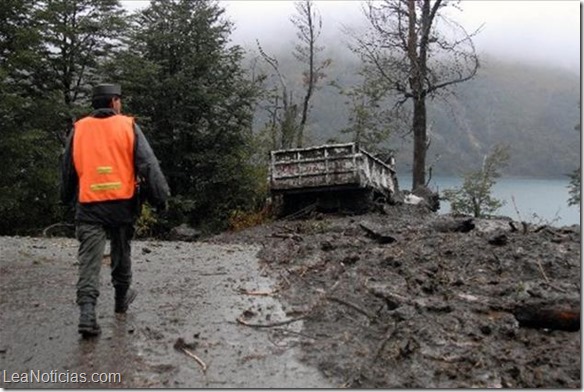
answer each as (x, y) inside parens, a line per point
(330, 177)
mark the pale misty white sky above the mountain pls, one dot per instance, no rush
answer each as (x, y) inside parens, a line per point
(534, 31)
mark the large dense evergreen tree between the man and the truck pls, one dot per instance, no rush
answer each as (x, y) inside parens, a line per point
(195, 104)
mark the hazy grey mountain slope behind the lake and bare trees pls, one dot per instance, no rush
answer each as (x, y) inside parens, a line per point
(534, 109)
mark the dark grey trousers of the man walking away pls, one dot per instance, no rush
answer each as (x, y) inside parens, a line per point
(92, 238)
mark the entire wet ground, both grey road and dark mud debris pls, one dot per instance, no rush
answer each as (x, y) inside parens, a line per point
(404, 298)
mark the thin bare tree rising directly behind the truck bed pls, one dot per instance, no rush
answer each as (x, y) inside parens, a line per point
(309, 26)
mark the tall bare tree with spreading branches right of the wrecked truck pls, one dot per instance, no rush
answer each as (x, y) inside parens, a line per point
(416, 51)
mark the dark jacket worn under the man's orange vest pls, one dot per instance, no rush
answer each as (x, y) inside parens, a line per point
(153, 185)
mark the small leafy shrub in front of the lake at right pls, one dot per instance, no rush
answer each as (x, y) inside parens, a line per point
(474, 197)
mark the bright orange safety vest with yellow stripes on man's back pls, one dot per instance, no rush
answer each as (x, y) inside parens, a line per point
(103, 155)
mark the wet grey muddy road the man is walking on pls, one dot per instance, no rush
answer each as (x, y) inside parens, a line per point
(189, 291)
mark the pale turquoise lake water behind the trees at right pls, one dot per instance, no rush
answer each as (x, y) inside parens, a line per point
(539, 201)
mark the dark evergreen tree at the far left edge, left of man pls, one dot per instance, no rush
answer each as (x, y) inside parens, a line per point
(28, 182)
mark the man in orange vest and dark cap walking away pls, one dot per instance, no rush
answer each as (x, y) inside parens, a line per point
(107, 156)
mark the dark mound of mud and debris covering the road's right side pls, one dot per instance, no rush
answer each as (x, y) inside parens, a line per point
(455, 302)
